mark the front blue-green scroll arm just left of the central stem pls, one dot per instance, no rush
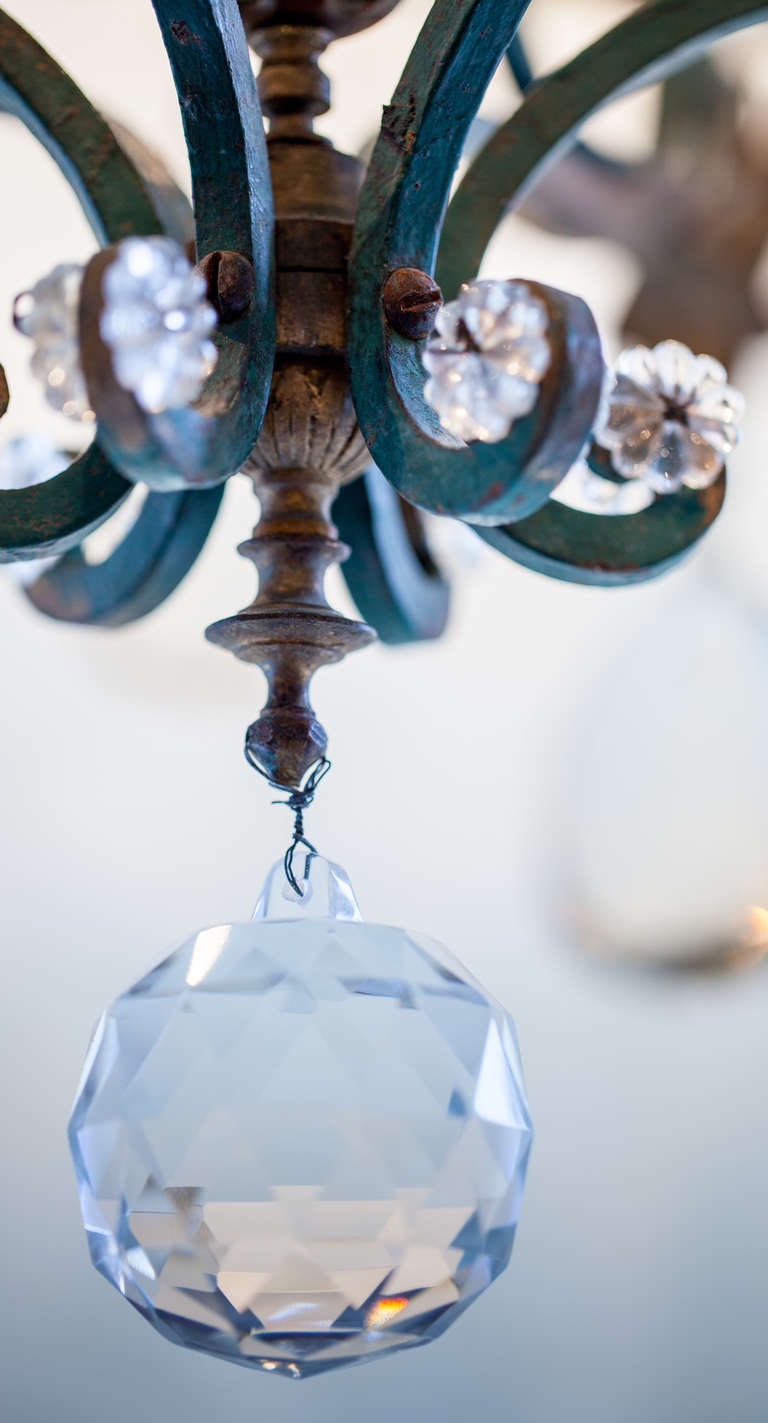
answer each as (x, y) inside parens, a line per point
(233, 200)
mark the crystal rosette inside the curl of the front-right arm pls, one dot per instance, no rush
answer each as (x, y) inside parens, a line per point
(487, 359)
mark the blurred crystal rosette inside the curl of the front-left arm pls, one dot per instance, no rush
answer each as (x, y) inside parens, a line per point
(159, 324)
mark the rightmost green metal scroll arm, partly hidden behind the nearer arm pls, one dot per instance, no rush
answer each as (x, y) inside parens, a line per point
(644, 49)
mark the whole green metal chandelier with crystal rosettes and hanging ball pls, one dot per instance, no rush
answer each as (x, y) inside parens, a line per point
(302, 1142)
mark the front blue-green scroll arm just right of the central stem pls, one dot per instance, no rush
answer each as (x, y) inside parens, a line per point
(400, 211)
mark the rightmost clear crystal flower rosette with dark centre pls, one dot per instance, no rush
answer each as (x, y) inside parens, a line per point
(671, 418)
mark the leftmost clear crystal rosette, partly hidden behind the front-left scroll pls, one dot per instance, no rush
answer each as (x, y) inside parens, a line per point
(49, 315)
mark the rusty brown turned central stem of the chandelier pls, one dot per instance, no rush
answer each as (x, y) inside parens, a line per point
(309, 442)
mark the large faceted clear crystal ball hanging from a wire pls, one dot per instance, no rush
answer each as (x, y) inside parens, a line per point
(301, 1143)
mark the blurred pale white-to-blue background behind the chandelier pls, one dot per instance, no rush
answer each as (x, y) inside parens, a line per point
(605, 873)
